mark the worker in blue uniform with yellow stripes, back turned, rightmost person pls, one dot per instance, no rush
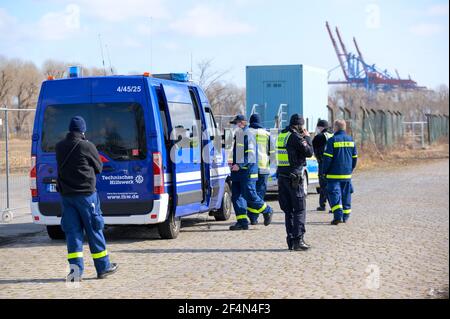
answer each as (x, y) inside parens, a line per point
(340, 160)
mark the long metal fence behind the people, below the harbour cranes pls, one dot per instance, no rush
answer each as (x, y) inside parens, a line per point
(385, 129)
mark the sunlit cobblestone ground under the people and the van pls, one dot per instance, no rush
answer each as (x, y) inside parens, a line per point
(396, 246)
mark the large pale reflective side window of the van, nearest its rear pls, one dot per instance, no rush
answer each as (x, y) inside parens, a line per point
(186, 130)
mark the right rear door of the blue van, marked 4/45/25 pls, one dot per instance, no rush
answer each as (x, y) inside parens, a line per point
(123, 137)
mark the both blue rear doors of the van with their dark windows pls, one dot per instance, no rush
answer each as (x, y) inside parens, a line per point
(116, 124)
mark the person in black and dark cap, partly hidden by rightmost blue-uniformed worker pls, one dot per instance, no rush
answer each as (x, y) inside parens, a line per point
(319, 144)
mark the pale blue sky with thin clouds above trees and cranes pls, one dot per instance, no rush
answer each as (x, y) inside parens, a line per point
(411, 36)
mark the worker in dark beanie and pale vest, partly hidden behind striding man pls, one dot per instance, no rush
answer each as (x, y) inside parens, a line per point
(266, 152)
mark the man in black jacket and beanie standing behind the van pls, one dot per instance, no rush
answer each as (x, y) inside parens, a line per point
(78, 163)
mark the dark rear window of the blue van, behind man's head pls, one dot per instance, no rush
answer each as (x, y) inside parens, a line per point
(117, 129)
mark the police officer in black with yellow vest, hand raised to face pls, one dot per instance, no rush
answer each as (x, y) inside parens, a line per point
(293, 147)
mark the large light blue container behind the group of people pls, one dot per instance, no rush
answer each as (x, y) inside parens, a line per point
(278, 92)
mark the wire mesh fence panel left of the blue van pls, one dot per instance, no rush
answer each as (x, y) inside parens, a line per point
(16, 127)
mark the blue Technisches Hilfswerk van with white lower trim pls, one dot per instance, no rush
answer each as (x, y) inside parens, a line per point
(158, 140)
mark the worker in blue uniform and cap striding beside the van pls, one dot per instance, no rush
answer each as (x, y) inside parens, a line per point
(244, 174)
